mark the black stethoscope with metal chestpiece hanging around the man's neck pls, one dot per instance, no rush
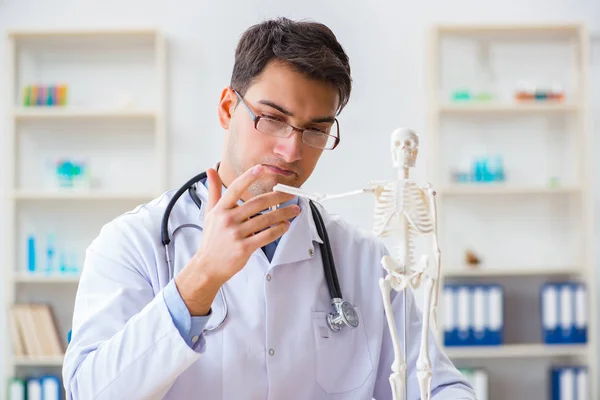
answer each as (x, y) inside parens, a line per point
(344, 313)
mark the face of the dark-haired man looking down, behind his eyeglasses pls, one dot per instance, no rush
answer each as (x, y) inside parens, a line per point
(282, 94)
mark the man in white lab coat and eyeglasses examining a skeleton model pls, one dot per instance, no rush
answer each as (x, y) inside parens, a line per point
(245, 315)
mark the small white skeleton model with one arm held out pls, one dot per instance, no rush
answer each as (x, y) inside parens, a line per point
(403, 211)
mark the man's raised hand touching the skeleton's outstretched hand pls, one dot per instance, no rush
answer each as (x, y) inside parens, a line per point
(231, 234)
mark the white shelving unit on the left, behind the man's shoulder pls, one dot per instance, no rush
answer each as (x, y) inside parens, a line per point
(114, 119)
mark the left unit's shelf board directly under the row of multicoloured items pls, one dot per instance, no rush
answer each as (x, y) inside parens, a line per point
(50, 112)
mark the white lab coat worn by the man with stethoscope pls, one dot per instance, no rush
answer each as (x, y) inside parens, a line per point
(125, 345)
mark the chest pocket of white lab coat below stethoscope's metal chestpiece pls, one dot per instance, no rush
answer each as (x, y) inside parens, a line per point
(343, 358)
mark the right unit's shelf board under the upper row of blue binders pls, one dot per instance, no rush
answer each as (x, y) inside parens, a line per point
(516, 351)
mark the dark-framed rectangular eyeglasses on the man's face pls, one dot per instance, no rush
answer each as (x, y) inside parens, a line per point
(312, 137)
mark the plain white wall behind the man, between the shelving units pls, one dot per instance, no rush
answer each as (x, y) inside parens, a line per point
(385, 41)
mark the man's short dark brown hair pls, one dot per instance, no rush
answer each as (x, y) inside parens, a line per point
(310, 48)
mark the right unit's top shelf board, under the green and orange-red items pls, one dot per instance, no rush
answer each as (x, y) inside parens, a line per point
(491, 107)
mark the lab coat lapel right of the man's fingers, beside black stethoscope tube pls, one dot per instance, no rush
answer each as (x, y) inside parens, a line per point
(298, 243)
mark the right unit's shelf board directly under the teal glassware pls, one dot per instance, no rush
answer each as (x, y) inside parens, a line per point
(504, 189)
